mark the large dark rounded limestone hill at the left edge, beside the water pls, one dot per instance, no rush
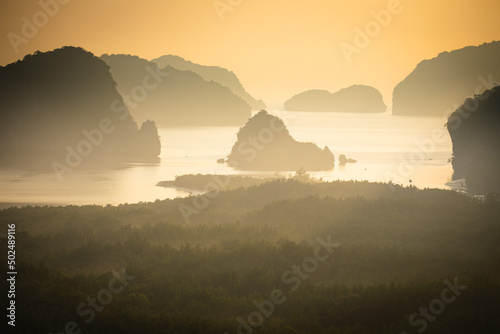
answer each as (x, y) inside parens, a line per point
(62, 107)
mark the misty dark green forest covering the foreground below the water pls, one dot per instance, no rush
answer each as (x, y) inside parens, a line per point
(280, 257)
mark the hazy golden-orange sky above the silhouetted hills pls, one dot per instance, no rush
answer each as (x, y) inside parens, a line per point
(276, 47)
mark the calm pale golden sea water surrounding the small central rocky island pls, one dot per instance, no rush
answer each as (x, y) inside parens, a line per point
(385, 146)
